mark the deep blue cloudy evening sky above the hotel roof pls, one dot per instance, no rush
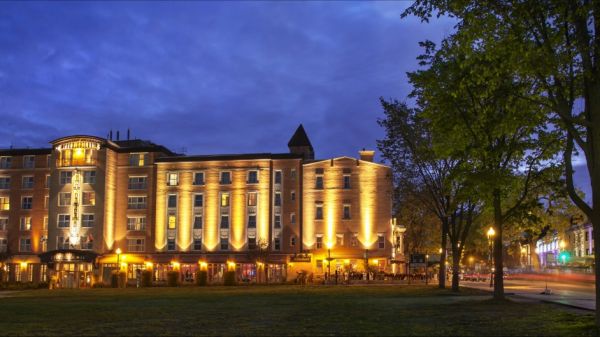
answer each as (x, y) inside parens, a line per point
(211, 77)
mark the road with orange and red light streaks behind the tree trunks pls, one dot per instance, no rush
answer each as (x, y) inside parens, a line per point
(575, 294)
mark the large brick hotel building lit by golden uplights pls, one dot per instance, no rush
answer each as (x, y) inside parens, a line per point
(88, 206)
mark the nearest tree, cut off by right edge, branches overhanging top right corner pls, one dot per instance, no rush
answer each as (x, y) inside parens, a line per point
(556, 43)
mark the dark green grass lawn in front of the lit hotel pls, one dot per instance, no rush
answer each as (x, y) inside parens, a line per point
(281, 310)
